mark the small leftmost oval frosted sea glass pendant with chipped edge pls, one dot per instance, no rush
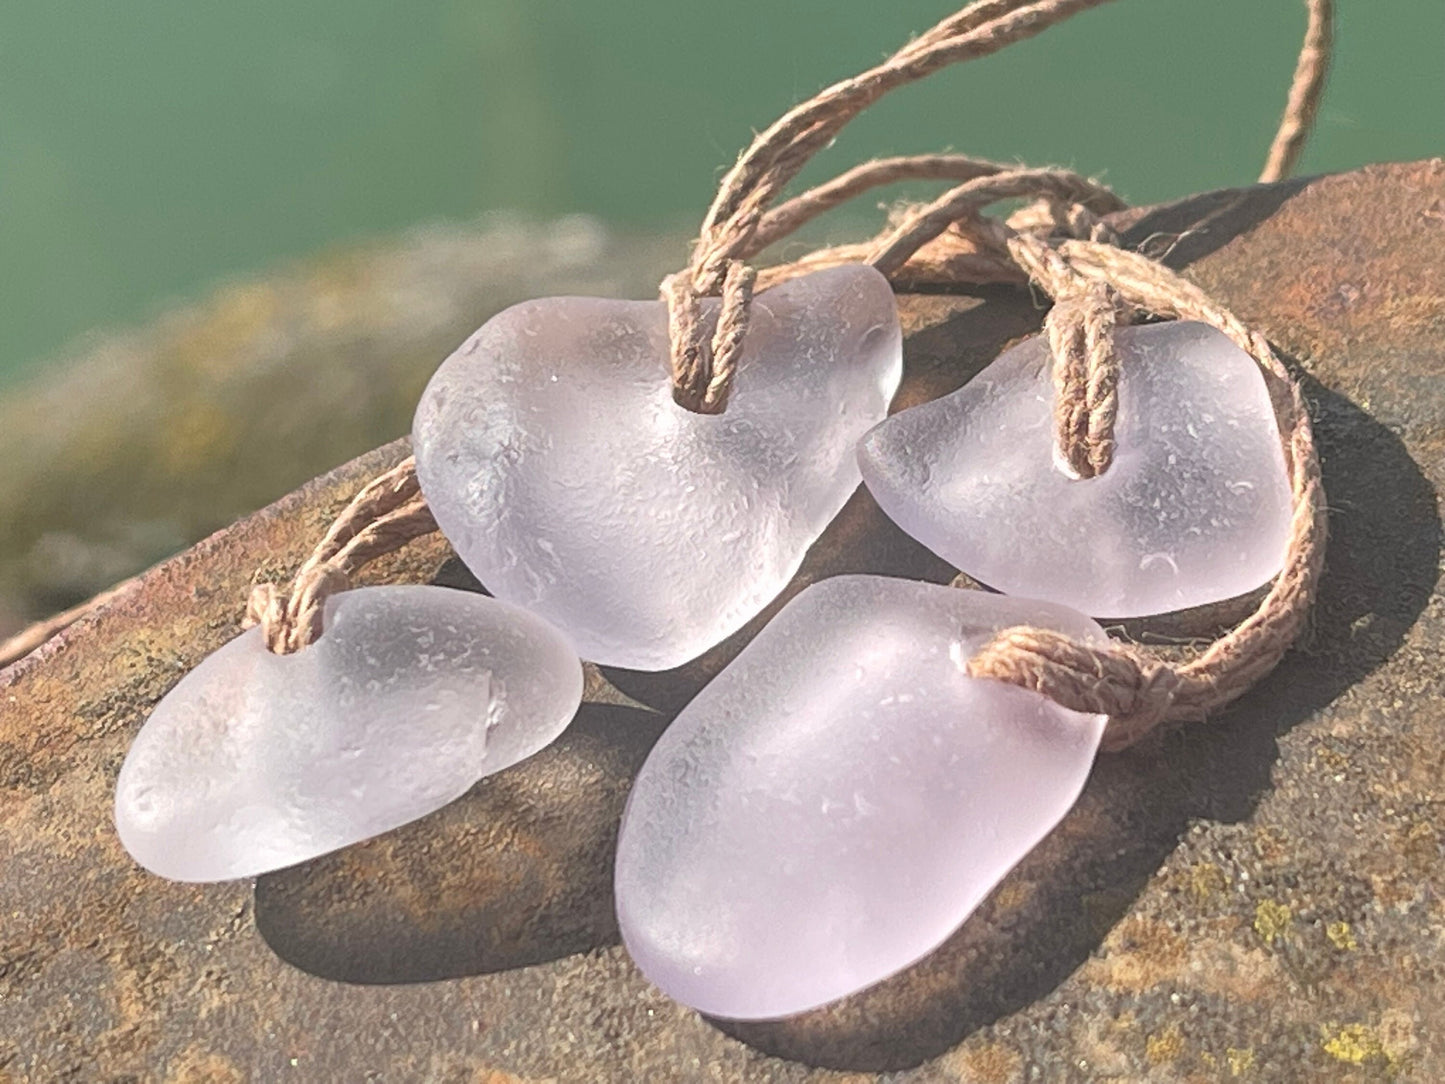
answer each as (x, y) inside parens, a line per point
(259, 761)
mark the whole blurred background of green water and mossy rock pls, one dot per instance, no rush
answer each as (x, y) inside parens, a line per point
(238, 238)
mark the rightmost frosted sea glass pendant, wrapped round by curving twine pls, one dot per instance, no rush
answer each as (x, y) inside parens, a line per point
(1194, 509)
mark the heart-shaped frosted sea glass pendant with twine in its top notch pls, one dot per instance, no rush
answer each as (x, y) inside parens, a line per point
(570, 482)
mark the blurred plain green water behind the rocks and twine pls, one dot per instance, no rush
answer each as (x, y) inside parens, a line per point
(151, 148)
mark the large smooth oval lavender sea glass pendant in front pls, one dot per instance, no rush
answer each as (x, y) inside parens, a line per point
(842, 797)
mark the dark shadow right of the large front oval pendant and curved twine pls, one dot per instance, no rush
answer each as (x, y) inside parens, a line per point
(1045, 920)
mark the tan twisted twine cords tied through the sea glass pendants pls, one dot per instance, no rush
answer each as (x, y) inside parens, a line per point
(1057, 242)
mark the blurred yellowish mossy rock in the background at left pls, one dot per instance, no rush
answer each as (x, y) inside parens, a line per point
(148, 442)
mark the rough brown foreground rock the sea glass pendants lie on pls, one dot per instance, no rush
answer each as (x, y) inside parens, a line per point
(1261, 898)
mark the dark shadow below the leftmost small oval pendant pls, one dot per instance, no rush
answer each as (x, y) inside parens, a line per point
(517, 872)
